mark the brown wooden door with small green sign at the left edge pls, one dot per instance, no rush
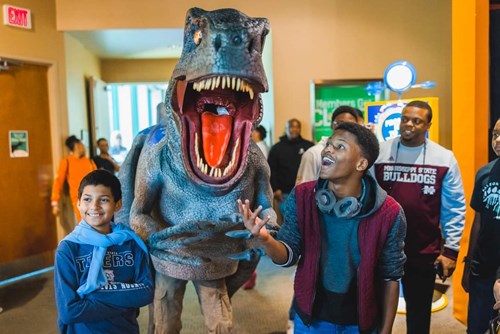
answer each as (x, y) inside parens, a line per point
(27, 227)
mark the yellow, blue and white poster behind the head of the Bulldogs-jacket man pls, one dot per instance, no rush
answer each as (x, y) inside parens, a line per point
(386, 117)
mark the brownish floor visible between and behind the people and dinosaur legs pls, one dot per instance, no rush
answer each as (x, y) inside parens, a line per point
(29, 307)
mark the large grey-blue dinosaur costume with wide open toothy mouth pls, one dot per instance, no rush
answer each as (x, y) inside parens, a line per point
(182, 177)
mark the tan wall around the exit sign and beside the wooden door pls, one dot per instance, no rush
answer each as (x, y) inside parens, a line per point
(42, 44)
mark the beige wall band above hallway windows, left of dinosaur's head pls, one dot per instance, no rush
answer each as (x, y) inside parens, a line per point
(138, 70)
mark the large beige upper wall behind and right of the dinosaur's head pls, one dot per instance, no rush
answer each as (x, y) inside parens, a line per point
(317, 39)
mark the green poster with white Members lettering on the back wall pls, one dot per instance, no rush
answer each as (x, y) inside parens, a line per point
(326, 96)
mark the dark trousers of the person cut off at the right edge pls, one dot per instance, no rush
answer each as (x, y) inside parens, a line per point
(481, 303)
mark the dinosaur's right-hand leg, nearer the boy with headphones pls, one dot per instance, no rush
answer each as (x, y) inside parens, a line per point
(215, 305)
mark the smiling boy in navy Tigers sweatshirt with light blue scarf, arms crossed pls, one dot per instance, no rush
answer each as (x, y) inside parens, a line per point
(102, 273)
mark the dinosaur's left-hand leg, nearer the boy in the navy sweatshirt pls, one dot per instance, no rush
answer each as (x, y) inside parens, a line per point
(169, 293)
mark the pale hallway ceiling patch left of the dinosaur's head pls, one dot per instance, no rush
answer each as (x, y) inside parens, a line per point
(132, 44)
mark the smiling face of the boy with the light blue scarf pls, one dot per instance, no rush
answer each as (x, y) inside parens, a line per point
(97, 207)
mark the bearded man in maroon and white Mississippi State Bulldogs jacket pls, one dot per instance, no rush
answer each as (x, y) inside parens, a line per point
(425, 179)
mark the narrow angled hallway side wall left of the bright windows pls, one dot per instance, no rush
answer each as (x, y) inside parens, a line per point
(80, 64)
